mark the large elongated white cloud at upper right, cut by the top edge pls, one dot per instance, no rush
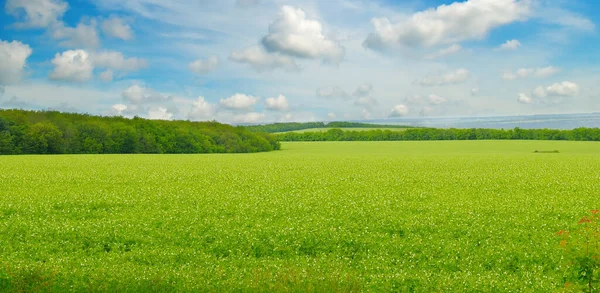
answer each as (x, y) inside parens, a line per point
(447, 24)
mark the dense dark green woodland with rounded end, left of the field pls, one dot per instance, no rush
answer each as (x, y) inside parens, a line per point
(52, 132)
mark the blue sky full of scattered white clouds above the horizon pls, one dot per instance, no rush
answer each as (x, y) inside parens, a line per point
(247, 61)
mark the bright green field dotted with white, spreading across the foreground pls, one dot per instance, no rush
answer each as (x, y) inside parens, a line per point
(330, 216)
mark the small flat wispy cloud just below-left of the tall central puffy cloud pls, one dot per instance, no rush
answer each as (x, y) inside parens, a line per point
(264, 61)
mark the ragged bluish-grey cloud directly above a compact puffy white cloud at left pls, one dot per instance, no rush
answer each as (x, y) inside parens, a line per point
(83, 35)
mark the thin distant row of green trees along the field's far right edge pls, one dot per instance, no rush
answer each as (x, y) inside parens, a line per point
(578, 134)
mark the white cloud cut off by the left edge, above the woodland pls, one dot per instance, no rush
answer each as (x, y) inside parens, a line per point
(13, 57)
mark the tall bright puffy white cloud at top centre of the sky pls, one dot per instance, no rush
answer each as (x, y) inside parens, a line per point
(293, 34)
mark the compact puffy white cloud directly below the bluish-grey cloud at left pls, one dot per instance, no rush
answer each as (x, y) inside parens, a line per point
(72, 65)
